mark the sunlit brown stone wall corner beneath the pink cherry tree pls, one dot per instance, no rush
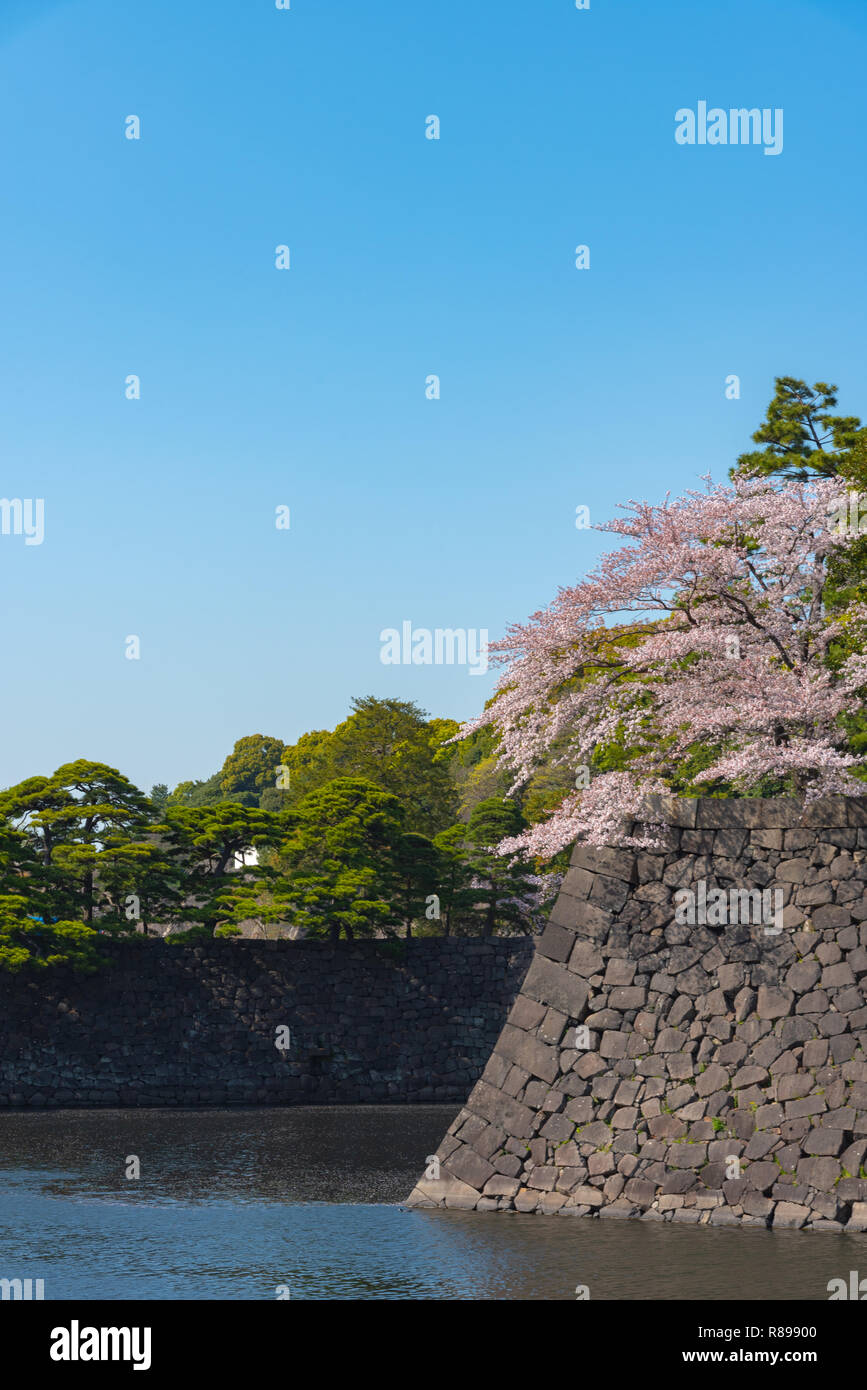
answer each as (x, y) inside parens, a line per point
(708, 1072)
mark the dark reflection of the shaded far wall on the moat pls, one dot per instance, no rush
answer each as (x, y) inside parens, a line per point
(329, 1154)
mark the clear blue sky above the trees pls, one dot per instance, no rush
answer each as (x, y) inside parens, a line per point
(409, 258)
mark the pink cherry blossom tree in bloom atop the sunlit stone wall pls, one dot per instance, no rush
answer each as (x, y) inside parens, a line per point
(705, 643)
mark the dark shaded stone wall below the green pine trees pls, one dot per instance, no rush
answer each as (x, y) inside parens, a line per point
(170, 1025)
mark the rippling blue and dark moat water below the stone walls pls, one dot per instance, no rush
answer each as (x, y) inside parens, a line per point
(244, 1203)
